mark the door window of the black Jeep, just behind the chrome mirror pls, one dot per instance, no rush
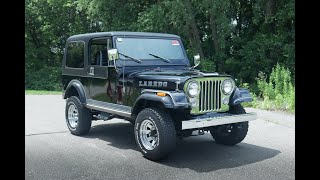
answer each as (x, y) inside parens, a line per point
(99, 51)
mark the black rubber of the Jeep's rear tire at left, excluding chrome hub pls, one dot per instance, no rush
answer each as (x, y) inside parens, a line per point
(84, 117)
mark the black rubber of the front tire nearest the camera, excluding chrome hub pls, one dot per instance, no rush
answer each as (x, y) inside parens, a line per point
(166, 133)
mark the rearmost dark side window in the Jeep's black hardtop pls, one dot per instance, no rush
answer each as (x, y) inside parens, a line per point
(75, 55)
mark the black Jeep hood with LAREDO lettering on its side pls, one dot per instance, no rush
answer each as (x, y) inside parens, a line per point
(165, 78)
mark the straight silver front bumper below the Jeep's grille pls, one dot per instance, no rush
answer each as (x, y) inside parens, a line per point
(215, 119)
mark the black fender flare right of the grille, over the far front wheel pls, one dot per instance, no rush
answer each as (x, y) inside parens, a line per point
(240, 95)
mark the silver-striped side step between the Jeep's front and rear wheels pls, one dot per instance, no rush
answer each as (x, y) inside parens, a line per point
(117, 109)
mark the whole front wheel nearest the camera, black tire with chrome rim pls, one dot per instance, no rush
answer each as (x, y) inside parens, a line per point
(155, 133)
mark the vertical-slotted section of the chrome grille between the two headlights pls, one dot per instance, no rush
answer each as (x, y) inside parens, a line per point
(210, 95)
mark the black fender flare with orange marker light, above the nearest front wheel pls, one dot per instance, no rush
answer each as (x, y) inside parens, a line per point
(172, 100)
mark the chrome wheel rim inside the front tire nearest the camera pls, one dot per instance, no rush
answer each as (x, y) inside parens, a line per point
(149, 134)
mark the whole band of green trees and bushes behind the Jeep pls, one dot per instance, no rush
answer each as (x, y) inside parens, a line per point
(244, 38)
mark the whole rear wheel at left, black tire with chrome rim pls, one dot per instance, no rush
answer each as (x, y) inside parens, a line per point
(78, 117)
